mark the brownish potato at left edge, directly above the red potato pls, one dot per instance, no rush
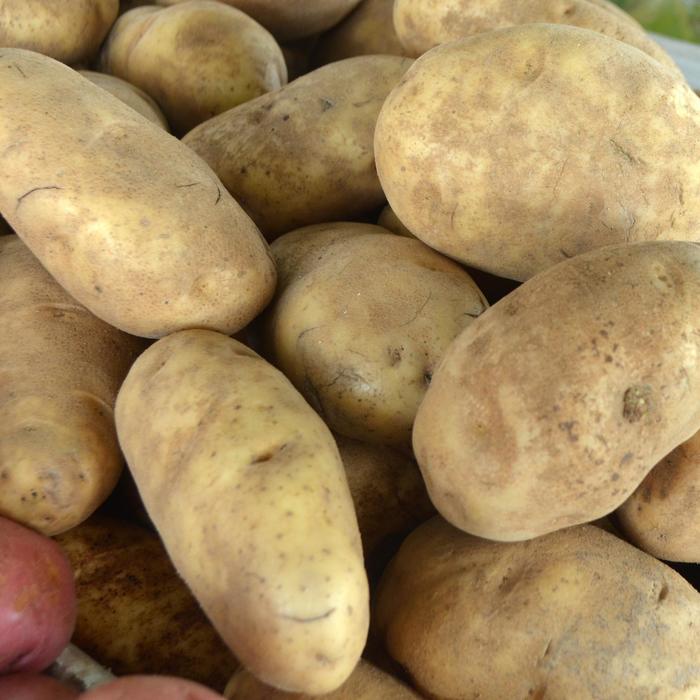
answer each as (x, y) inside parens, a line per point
(61, 369)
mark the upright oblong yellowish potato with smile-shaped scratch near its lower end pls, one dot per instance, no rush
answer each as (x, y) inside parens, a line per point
(221, 445)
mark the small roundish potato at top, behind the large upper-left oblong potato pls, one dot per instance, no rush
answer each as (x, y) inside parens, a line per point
(196, 59)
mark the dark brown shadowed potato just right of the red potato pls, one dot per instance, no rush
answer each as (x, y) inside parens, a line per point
(135, 615)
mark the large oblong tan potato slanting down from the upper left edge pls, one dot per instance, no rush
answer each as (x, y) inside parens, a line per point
(128, 220)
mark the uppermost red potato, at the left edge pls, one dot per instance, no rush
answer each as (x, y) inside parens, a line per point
(37, 600)
